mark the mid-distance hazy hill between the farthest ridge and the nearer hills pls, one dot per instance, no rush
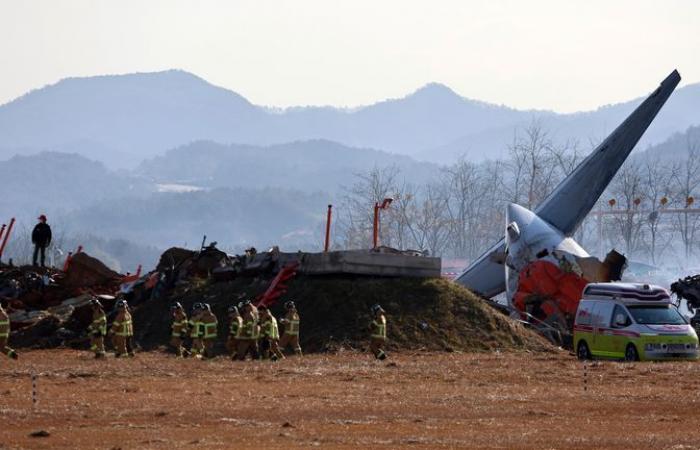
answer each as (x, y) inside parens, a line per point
(308, 166)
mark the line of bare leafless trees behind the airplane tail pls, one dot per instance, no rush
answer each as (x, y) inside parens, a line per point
(646, 213)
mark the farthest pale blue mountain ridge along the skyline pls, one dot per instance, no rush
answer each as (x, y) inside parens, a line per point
(122, 120)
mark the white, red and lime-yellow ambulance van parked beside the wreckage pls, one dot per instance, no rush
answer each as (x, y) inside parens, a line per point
(632, 322)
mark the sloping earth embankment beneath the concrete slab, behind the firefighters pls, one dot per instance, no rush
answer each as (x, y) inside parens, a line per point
(430, 314)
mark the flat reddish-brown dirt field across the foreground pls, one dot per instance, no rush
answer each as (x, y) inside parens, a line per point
(347, 400)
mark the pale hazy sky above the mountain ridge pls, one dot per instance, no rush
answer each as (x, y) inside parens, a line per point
(561, 55)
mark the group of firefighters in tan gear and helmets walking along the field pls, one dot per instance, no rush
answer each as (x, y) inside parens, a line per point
(253, 331)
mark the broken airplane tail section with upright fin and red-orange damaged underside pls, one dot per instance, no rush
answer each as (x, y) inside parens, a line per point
(542, 270)
